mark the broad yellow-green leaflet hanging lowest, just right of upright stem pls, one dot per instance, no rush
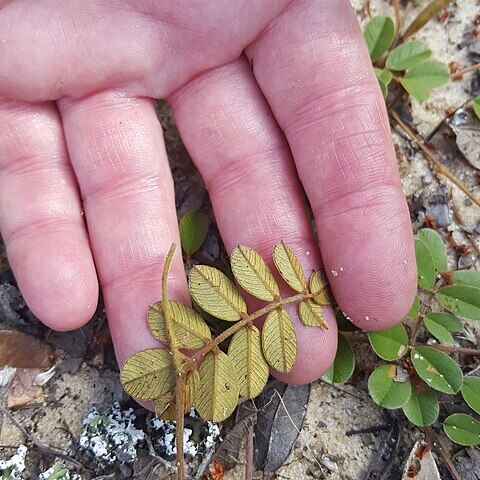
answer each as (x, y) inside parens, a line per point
(218, 393)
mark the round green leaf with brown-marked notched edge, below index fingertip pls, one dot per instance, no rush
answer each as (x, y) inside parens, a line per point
(385, 391)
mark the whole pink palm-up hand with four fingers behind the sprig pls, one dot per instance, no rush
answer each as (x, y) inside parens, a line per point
(272, 99)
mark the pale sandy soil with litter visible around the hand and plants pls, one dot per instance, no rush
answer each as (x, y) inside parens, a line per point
(86, 375)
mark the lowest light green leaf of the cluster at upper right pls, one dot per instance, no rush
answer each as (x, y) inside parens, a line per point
(419, 80)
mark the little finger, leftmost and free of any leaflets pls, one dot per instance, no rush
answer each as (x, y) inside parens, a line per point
(41, 217)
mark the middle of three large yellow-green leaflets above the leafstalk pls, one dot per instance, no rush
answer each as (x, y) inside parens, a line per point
(253, 274)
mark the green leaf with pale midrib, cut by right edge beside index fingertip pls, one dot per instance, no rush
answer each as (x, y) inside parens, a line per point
(463, 300)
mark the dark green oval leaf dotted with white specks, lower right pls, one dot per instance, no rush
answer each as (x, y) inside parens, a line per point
(437, 369)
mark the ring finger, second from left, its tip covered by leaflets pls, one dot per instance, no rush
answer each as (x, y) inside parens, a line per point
(117, 151)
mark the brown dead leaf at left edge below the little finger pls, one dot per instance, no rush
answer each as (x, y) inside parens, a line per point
(20, 350)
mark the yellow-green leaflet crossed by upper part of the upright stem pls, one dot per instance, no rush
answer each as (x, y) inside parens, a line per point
(190, 329)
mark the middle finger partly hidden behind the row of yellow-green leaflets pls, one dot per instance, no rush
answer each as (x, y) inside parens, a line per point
(247, 167)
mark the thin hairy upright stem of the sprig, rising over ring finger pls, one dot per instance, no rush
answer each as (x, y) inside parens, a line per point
(178, 365)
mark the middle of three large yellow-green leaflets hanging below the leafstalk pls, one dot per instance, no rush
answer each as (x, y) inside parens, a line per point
(245, 351)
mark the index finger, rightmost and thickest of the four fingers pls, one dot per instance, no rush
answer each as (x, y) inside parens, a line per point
(328, 103)
